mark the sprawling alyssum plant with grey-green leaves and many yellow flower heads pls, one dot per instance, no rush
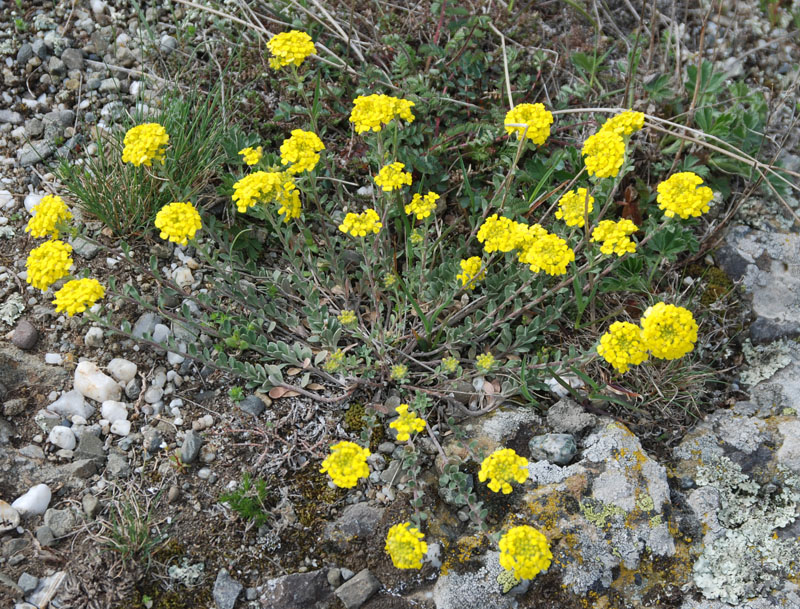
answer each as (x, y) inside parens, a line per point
(385, 292)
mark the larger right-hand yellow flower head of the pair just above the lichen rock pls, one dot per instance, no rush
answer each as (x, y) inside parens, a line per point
(669, 332)
